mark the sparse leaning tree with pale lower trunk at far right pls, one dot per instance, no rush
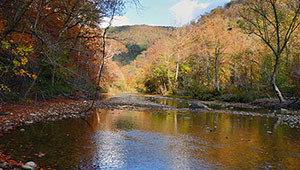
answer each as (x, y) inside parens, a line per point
(274, 22)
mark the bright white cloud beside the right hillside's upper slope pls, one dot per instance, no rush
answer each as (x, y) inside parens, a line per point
(187, 10)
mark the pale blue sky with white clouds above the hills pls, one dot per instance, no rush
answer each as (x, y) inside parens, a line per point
(166, 12)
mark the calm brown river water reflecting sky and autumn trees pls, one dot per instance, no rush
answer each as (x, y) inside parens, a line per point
(158, 139)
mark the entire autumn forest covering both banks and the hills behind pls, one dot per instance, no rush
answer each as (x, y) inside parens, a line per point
(240, 52)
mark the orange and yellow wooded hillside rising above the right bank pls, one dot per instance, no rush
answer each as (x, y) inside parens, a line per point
(240, 52)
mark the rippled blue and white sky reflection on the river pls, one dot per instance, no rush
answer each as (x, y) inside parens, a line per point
(145, 150)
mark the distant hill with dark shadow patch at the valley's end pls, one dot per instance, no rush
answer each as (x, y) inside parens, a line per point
(137, 39)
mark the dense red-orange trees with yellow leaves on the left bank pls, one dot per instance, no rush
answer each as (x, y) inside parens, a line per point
(46, 45)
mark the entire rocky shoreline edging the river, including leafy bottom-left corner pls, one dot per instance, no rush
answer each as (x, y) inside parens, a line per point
(16, 115)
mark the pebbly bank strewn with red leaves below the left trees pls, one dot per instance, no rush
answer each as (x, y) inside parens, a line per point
(21, 114)
